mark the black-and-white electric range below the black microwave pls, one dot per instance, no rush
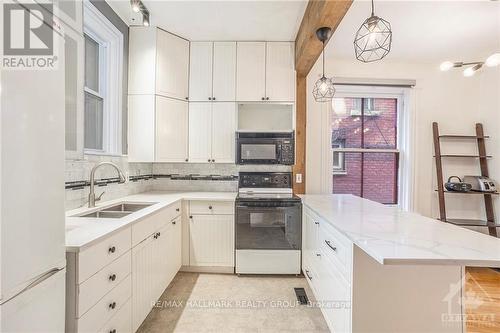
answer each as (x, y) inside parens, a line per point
(268, 224)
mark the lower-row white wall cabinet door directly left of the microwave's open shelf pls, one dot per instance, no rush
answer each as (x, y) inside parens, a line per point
(223, 129)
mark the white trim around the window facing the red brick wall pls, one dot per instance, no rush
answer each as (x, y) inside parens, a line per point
(405, 138)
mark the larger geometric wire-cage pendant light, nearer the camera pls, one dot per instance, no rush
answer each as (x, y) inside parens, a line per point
(373, 39)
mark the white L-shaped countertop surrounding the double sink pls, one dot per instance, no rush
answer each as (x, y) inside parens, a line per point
(82, 232)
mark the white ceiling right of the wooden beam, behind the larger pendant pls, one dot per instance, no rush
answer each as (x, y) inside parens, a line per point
(427, 31)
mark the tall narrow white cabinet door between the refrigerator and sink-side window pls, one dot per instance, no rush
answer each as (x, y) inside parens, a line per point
(74, 99)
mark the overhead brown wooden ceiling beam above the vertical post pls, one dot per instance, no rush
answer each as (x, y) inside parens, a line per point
(319, 13)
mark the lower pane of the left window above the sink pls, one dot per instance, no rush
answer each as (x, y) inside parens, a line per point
(93, 122)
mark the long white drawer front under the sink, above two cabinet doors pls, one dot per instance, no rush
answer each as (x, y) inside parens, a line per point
(144, 228)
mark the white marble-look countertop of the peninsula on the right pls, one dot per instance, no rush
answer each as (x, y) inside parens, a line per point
(392, 236)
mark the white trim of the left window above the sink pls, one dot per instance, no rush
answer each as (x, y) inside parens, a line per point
(110, 39)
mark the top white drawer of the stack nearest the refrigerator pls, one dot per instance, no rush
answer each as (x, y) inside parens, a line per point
(101, 254)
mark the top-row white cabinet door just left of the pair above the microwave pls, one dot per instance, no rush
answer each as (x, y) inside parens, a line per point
(224, 71)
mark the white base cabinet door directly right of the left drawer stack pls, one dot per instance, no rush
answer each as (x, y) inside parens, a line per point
(143, 261)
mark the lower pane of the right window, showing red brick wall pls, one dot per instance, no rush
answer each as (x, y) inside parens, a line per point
(369, 175)
